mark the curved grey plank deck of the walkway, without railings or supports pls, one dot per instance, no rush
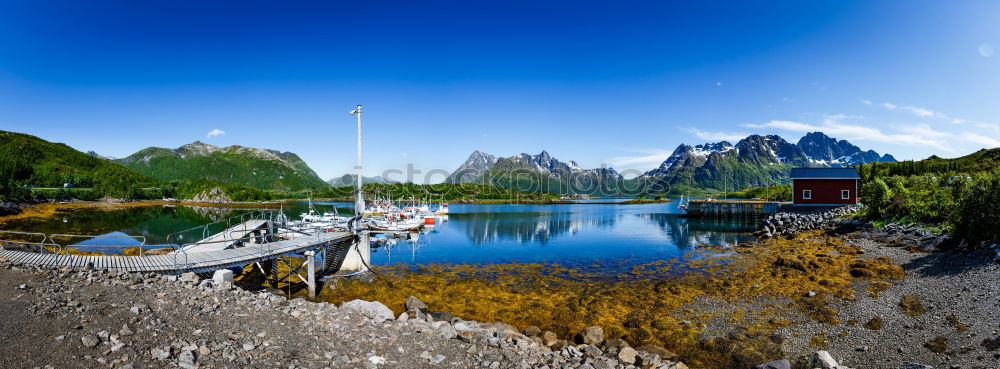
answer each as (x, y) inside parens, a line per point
(177, 262)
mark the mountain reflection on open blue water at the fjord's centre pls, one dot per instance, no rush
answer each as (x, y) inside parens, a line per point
(526, 227)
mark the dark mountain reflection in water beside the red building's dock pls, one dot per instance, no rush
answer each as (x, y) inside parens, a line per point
(689, 232)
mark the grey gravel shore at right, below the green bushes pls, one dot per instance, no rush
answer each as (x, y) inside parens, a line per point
(960, 328)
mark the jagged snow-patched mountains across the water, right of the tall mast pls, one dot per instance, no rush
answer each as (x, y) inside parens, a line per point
(753, 161)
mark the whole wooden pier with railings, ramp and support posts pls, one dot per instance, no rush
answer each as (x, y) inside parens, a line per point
(249, 239)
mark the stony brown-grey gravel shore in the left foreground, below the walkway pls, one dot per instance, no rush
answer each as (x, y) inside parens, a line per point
(99, 319)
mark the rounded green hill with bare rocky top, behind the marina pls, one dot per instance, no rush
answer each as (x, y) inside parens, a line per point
(264, 169)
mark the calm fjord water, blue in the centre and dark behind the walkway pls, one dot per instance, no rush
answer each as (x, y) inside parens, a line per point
(577, 235)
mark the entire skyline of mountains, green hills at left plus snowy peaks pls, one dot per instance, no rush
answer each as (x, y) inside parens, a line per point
(753, 161)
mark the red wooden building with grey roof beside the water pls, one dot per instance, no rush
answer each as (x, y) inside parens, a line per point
(825, 186)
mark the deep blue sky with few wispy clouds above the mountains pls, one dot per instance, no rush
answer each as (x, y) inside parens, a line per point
(603, 83)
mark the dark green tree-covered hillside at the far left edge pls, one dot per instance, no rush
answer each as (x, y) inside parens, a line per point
(27, 160)
